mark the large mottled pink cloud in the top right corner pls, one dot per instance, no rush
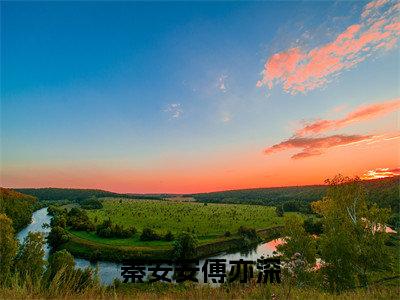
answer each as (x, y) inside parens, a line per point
(299, 70)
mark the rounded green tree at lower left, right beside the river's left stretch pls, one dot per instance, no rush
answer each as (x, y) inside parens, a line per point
(30, 258)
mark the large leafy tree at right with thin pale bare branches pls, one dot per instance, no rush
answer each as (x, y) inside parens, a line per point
(353, 243)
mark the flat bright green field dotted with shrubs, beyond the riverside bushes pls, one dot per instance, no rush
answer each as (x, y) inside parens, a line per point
(209, 220)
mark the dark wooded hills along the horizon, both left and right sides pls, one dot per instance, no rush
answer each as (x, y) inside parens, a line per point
(384, 191)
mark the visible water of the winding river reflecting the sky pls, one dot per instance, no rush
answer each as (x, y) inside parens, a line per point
(108, 271)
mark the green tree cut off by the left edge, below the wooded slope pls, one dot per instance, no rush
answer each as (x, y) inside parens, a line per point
(8, 247)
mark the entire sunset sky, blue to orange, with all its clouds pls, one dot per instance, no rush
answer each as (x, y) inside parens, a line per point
(186, 97)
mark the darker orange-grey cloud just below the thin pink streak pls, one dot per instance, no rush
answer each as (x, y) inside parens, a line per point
(312, 146)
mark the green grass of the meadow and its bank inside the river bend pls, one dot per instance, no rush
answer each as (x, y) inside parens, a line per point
(210, 223)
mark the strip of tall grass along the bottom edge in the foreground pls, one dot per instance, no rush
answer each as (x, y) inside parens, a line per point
(65, 285)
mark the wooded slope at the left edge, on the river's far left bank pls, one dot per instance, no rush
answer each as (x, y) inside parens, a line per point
(17, 206)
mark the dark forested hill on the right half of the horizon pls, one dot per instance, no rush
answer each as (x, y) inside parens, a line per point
(384, 191)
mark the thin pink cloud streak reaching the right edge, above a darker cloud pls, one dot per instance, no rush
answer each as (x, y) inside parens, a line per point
(362, 113)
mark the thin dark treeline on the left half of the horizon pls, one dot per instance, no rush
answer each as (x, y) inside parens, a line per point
(78, 195)
